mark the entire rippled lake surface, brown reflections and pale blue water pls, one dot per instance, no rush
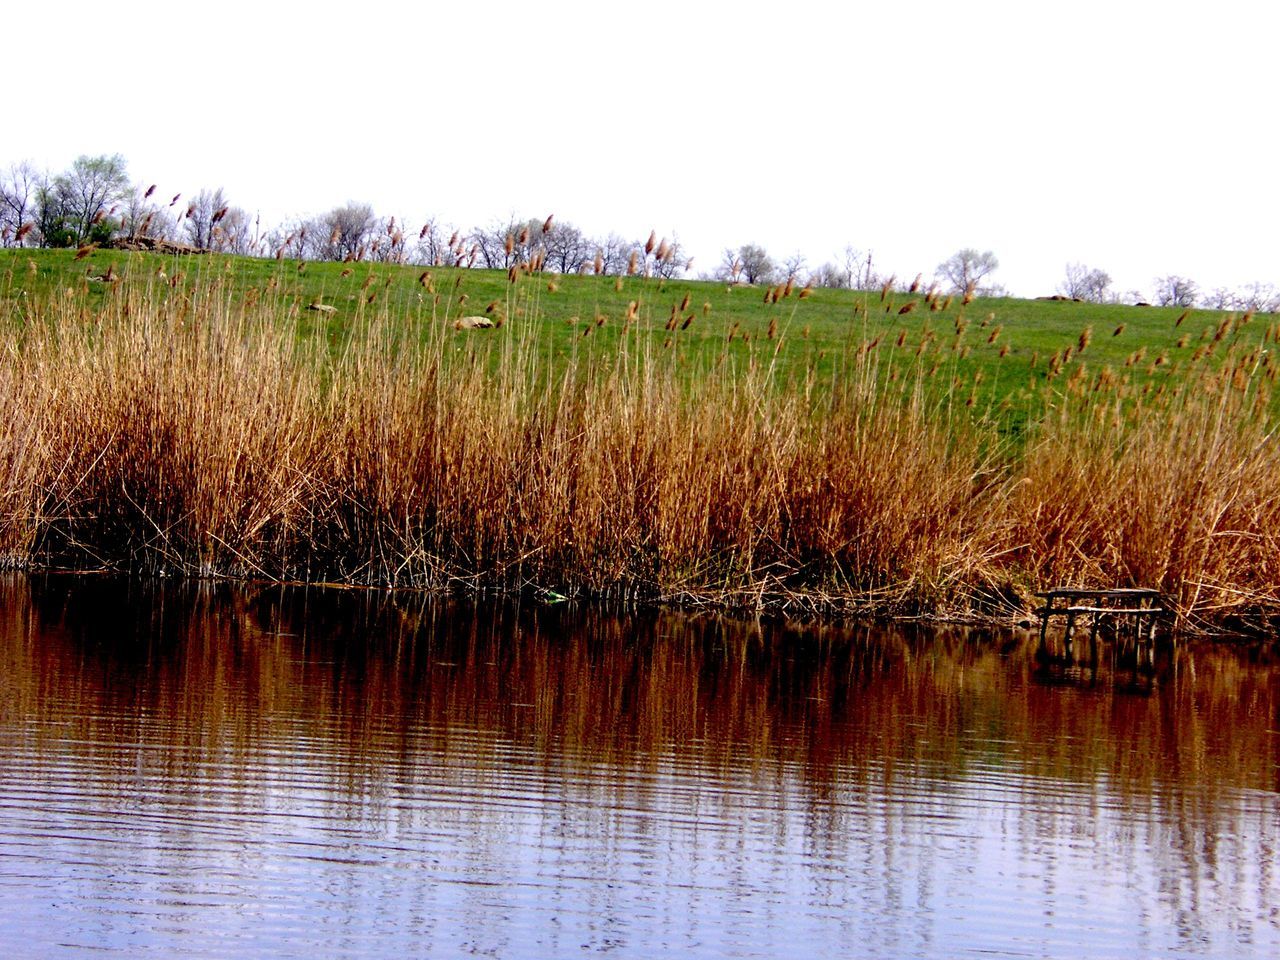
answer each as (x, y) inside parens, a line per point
(216, 771)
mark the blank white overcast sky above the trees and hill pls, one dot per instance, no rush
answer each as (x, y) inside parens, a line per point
(1136, 138)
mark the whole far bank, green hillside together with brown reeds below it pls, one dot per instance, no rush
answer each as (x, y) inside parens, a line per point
(629, 438)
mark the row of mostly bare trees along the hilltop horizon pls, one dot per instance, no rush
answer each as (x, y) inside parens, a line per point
(94, 203)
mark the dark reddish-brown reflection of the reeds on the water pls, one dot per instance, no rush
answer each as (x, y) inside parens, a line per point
(388, 685)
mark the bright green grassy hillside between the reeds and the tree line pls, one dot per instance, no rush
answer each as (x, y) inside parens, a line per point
(996, 355)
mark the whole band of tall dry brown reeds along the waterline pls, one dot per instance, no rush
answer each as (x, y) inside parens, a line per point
(200, 435)
